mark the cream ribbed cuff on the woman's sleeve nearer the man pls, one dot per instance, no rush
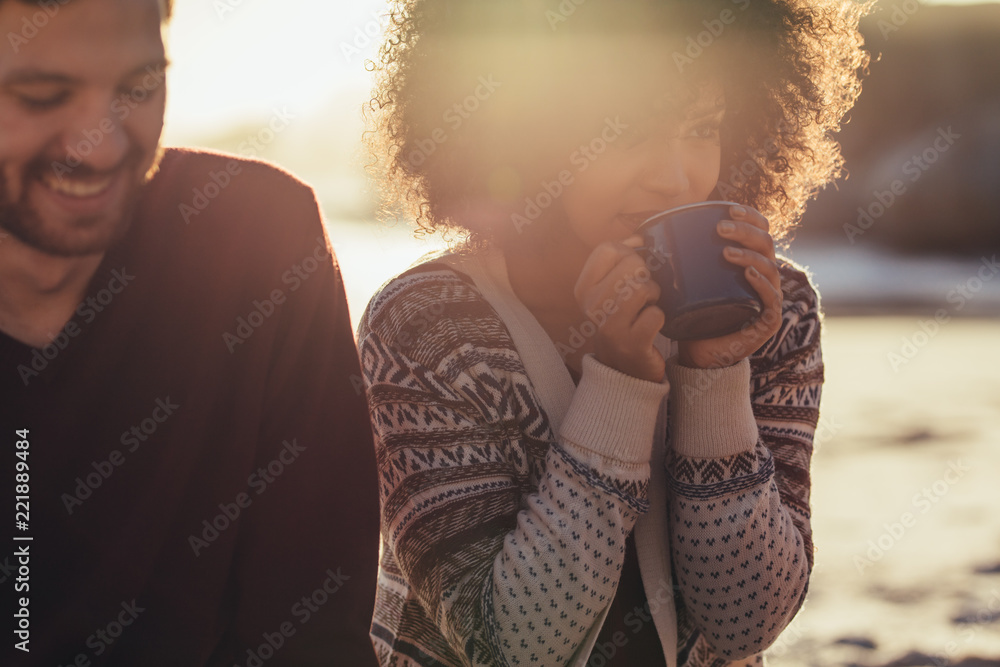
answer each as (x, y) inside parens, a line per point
(613, 414)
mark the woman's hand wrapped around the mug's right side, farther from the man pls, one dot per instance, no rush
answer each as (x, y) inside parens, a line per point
(751, 231)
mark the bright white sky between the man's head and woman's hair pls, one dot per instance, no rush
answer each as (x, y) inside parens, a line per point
(237, 60)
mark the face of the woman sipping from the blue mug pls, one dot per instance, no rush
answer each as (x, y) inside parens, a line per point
(671, 160)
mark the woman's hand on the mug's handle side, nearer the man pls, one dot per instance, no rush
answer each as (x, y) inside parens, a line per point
(616, 292)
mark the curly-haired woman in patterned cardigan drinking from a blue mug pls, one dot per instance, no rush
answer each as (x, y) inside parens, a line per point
(561, 484)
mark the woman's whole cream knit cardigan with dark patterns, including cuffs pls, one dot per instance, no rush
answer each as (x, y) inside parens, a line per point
(507, 492)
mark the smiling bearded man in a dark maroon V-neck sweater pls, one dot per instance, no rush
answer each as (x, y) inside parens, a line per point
(188, 473)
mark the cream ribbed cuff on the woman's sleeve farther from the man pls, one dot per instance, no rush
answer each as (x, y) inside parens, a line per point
(710, 414)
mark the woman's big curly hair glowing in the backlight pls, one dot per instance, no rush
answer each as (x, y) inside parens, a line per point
(478, 103)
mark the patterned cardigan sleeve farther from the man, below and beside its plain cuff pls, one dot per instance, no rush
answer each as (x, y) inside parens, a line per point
(740, 533)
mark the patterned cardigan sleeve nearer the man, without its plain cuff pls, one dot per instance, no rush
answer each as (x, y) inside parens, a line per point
(501, 544)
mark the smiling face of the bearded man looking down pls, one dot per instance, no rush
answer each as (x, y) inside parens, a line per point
(82, 98)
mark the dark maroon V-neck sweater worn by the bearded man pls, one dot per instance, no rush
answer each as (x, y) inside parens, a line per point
(202, 477)
